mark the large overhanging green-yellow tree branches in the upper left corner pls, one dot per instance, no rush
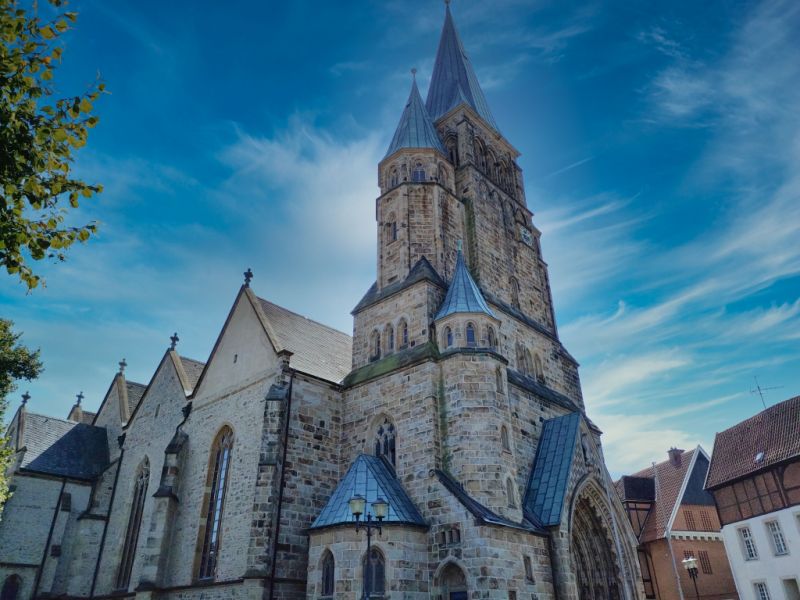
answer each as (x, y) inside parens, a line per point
(39, 134)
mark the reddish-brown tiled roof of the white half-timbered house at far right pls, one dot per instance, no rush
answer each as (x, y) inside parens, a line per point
(774, 431)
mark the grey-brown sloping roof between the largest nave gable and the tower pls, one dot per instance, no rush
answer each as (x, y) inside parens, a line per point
(316, 349)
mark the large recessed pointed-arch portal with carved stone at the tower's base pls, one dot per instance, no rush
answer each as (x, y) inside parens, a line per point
(593, 555)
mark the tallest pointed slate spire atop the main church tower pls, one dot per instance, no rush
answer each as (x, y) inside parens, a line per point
(454, 81)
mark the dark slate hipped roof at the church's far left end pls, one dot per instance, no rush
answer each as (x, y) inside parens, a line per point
(63, 448)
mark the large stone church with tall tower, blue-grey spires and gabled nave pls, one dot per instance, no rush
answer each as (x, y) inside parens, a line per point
(454, 401)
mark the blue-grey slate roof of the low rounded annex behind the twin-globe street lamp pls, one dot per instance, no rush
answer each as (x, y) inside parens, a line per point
(370, 477)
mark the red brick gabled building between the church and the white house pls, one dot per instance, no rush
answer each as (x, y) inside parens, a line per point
(674, 518)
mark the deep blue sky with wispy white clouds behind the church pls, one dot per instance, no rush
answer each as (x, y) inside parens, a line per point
(660, 144)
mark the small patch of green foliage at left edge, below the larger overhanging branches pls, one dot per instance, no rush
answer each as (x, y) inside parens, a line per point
(16, 362)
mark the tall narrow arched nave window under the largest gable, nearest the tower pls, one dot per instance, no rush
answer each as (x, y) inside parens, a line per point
(216, 485)
